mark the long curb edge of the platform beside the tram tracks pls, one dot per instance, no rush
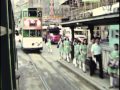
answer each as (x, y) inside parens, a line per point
(95, 85)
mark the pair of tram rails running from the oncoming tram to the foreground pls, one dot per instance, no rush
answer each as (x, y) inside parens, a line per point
(41, 76)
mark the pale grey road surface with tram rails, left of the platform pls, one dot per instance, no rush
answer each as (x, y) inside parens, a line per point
(41, 71)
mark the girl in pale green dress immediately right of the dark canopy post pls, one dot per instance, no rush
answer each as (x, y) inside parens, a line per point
(76, 54)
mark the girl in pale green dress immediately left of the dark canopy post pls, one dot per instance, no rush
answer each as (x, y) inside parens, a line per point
(67, 49)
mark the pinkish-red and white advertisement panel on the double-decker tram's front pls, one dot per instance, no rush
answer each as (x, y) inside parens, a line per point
(32, 23)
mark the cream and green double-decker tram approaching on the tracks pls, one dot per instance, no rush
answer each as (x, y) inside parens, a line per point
(31, 28)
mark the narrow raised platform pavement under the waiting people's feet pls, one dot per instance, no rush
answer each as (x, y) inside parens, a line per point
(100, 84)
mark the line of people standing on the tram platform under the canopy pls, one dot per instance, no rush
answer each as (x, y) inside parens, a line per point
(91, 54)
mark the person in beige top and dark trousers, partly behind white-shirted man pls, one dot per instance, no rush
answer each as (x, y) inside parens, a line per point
(91, 63)
